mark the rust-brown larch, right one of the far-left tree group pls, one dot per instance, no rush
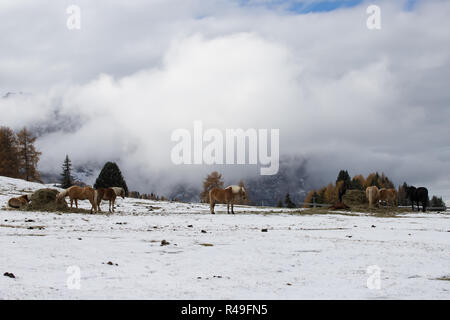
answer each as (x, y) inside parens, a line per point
(28, 155)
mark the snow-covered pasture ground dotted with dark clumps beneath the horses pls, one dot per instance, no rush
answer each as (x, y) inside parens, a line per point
(218, 256)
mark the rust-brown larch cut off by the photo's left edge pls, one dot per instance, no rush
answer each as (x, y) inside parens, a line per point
(9, 158)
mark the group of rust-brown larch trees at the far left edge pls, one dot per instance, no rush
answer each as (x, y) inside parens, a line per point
(18, 156)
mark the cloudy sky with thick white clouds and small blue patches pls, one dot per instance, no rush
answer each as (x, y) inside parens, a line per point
(343, 96)
